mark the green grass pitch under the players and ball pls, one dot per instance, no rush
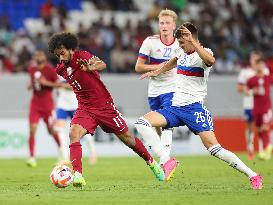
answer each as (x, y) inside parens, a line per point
(199, 180)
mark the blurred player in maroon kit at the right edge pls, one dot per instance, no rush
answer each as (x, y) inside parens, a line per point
(262, 109)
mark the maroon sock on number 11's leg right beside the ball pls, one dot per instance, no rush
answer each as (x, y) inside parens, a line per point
(76, 156)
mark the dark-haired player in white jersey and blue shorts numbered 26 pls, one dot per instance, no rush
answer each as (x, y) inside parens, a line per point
(194, 63)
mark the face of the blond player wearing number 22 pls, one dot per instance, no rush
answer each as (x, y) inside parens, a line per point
(166, 25)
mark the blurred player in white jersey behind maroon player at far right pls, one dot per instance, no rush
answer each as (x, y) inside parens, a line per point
(243, 77)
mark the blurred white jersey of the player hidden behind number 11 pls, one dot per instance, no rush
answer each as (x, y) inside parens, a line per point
(67, 99)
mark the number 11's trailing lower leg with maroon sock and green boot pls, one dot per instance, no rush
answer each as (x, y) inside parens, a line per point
(137, 146)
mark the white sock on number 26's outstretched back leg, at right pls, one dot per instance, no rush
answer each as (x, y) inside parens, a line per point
(231, 159)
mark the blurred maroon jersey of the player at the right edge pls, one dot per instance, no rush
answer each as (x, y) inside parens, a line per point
(262, 101)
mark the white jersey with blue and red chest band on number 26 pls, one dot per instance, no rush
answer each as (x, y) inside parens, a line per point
(191, 84)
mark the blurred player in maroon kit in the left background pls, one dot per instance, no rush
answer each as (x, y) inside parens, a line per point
(43, 78)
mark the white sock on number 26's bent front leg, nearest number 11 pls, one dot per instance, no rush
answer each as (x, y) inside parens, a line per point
(151, 138)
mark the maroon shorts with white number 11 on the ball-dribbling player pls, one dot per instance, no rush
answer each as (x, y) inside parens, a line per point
(108, 118)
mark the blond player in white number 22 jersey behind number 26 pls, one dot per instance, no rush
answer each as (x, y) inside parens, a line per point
(154, 52)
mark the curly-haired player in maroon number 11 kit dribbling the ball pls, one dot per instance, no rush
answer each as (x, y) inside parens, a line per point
(95, 104)
